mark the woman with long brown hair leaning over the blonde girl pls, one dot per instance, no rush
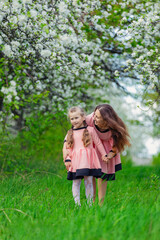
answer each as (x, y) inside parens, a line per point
(114, 136)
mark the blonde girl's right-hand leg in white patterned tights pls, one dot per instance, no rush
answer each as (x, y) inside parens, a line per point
(88, 181)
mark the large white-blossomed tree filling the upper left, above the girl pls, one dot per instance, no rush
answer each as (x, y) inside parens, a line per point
(46, 54)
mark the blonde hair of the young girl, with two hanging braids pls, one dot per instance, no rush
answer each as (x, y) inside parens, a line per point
(86, 138)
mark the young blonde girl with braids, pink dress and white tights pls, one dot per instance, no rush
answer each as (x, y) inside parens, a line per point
(82, 160)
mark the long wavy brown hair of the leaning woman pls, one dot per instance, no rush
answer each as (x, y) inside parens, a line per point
(116, 125)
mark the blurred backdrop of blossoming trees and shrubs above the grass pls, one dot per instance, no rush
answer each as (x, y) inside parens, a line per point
(54, 55)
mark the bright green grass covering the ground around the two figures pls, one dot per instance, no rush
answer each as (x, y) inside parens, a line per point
(39, 206)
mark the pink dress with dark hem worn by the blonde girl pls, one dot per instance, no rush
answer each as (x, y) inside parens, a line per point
(84, 160)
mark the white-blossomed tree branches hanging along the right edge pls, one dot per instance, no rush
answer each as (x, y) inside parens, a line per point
(143, 36)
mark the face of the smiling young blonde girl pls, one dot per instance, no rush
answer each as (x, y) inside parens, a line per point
(76, 119)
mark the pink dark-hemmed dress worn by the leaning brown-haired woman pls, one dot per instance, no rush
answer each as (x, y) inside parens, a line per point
(114, 165)
